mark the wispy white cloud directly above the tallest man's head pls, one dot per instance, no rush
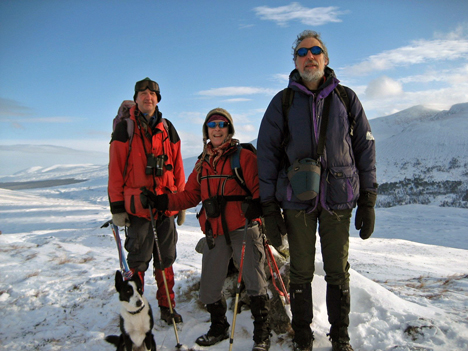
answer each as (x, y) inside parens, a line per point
(296, 12)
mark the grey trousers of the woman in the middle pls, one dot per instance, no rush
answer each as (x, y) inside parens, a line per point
(215, 264)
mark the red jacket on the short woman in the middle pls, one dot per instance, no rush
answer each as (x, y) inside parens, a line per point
(223, 183)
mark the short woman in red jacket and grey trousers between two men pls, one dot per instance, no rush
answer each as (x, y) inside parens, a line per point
(223, 221)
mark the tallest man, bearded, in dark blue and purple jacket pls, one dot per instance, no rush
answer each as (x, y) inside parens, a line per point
(316, 185)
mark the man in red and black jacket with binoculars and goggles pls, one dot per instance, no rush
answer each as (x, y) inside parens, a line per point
(151, 159)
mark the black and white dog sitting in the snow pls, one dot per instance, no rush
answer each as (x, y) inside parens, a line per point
(136, 317)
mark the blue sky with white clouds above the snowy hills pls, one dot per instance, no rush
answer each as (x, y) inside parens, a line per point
(65, 66)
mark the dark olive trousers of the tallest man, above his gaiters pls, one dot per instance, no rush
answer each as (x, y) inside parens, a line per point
(334, 241)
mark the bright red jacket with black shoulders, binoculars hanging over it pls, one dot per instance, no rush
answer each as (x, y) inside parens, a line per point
(127, 168)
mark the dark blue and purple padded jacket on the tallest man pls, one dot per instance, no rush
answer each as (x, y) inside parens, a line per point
(348, 163)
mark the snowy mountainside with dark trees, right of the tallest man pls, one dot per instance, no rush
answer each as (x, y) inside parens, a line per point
(422, 156)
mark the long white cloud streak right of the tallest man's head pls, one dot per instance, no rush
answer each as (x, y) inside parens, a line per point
(420, 51)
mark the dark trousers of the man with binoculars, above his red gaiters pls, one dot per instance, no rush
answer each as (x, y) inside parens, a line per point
(140, 243)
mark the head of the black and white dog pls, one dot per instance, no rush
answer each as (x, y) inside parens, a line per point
(130, 292)
